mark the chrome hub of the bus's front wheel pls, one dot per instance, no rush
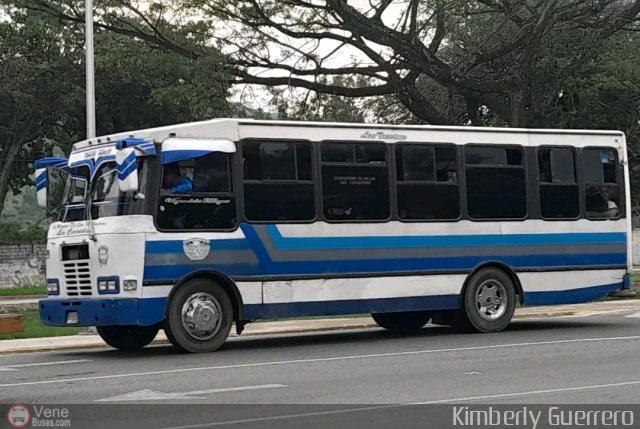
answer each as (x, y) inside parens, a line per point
(201, 316)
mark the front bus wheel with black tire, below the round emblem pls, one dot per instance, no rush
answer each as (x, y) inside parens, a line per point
(188, 337)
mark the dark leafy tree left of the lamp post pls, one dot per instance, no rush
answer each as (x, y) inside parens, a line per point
(36, 77)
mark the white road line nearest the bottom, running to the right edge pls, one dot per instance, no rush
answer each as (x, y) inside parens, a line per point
(383, 407)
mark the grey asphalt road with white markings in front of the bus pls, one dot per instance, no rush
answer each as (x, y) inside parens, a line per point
(562, 360)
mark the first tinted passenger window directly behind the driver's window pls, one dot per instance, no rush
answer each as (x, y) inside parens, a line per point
(277, 181)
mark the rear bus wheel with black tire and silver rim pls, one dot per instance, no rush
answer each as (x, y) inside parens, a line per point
(481, 311)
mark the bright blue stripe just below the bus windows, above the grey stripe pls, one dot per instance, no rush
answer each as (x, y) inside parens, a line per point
(368, 242)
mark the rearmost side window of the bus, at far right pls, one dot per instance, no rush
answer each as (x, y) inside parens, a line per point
(601, 184)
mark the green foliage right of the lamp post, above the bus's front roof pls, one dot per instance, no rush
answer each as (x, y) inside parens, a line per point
(140, 86)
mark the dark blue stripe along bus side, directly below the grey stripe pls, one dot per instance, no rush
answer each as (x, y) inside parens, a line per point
(267, 267)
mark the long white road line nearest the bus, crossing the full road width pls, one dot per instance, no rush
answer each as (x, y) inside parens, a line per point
(313, 360)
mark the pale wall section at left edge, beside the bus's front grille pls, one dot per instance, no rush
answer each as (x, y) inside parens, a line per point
(22, 265)
